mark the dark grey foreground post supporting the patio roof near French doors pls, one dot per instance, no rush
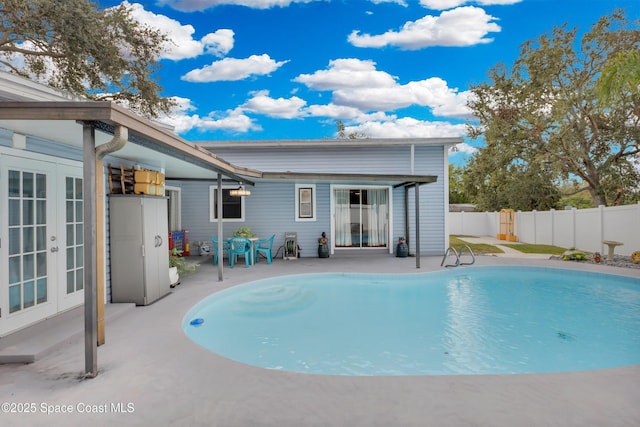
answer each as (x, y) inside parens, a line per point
(89, 213)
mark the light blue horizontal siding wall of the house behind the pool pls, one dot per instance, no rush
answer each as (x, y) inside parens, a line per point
(271, 207)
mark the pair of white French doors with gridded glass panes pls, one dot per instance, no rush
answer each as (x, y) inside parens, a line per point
(38, 240)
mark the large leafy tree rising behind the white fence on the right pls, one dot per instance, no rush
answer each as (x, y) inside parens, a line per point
(545, 112)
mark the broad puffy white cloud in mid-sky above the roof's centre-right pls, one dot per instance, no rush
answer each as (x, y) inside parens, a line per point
(357, 84)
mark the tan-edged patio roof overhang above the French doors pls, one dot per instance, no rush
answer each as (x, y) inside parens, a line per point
(148, 142)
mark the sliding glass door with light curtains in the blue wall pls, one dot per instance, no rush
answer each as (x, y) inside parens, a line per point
(361, 217)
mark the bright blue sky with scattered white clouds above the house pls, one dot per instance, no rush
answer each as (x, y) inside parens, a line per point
(290, 69)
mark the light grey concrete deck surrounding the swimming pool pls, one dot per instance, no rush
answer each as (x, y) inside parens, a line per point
(150, 373)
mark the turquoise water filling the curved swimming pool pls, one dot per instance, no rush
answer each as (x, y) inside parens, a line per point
(476, 320)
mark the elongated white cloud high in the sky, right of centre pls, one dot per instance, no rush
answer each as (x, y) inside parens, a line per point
(464, 26)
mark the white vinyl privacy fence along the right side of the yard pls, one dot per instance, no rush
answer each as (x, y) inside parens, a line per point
(583, 229)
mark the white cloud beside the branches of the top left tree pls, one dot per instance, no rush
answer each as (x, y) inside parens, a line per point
(181, 42)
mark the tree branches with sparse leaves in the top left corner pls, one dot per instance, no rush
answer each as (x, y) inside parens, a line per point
(73, 46)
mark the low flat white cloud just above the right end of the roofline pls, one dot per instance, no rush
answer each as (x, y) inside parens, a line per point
(406, 127)
